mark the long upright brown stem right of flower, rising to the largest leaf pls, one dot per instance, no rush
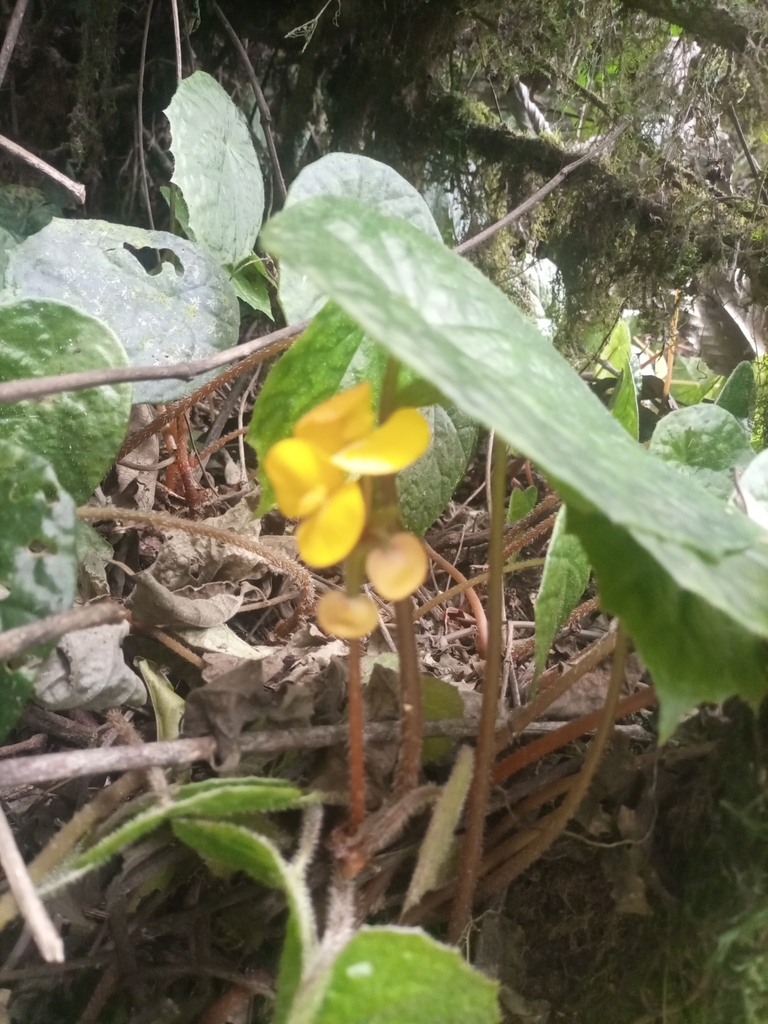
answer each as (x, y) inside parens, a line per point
(473, 849)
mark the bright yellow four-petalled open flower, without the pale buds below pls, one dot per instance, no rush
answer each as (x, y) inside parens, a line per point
(311, 473)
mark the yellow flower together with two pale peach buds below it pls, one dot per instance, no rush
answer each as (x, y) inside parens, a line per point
(317, 477)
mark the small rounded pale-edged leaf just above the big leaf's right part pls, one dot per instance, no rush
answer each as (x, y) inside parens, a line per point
(705, 443)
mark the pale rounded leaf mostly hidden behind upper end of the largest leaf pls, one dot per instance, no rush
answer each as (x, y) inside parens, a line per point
(356, 178)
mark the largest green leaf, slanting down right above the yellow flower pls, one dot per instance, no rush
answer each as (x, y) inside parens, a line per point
(439, 315)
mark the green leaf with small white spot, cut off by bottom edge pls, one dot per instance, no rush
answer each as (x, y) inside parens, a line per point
(403, 976)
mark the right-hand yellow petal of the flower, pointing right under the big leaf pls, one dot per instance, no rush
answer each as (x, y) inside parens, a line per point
(396, 445)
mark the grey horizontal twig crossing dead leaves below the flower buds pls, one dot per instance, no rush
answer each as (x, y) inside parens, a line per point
(177, 753)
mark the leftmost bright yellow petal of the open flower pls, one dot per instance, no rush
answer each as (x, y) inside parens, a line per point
(302, 476)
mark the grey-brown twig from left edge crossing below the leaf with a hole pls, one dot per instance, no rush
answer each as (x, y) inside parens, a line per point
(37, 388)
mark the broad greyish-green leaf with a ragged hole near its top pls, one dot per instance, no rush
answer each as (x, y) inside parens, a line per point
(185, 309)
